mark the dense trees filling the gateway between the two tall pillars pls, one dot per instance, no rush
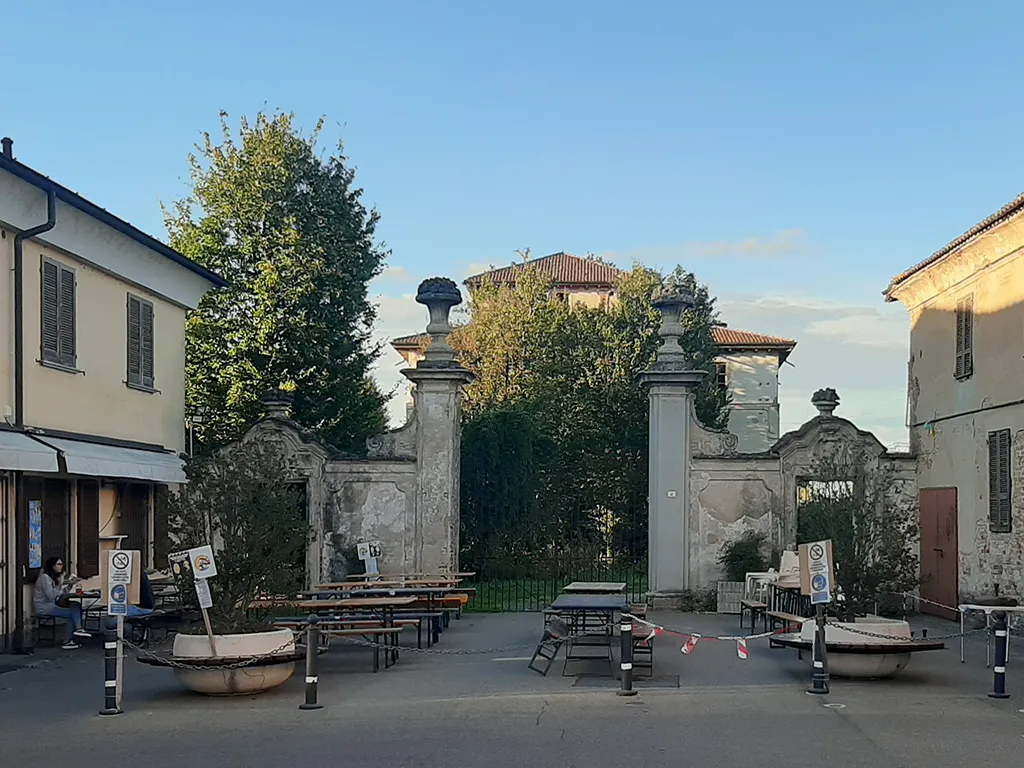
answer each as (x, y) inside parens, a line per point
(556, 442)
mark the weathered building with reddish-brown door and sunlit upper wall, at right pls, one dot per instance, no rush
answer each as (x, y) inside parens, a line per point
(966, 408)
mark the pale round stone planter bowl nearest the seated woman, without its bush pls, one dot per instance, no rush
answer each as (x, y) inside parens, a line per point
(241, 681)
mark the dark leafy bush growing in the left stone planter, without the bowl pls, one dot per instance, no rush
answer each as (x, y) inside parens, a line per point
(243, 503)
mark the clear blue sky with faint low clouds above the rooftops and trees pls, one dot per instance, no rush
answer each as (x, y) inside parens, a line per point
(794, 156)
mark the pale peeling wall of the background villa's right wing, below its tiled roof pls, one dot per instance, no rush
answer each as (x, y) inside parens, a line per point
(752, 378)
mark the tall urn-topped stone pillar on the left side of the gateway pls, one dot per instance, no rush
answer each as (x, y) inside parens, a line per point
(439, 380)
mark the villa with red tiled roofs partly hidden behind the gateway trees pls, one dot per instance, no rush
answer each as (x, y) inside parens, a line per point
(748, 365)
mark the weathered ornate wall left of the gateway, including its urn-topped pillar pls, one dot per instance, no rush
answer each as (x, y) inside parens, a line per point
(404, 493)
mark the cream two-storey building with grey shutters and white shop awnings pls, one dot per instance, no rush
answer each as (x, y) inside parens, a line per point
(94, 407)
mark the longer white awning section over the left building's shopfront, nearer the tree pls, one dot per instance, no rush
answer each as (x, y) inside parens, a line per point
(110, 461)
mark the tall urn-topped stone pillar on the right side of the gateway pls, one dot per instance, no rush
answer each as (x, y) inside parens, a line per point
(670, 383)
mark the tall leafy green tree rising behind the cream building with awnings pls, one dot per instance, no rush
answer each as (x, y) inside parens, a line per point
(287, 228)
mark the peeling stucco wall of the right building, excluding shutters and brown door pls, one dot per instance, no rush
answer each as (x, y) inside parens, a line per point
(951, 418)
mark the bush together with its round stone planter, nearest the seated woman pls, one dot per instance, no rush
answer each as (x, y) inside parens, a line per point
(243, 503)
